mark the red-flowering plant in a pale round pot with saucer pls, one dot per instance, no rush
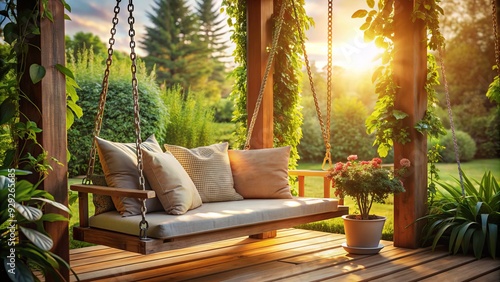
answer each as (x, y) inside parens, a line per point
(366, 182)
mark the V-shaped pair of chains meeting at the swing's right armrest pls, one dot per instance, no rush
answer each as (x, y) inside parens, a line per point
(325, 129)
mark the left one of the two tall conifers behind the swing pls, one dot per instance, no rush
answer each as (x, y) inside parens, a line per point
(174, 47)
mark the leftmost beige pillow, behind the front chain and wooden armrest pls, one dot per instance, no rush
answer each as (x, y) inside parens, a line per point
(119, 163)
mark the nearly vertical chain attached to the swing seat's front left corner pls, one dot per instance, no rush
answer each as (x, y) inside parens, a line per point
(143, 225)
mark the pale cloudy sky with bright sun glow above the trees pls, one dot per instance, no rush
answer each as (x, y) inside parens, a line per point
(349, 49)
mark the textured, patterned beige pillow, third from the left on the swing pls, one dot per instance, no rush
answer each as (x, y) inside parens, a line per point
(209, 169)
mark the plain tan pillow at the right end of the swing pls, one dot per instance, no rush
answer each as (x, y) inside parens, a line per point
(261, 173)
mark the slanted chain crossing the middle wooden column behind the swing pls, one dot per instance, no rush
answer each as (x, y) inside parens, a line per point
(274, 45)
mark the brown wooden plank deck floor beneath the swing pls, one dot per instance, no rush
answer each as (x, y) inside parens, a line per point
(295, 255)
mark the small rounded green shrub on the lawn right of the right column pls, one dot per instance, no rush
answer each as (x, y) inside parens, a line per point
(466, 147)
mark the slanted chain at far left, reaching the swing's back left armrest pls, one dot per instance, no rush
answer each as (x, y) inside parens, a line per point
(102, 97)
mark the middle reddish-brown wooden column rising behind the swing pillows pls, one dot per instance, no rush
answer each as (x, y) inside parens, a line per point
(259, 30)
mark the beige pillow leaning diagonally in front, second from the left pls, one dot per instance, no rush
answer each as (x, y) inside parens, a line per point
(171, 182)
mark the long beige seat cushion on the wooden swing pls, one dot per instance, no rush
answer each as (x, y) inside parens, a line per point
(215, 216)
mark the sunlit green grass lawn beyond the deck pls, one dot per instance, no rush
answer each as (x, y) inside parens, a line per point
(314, 188)
